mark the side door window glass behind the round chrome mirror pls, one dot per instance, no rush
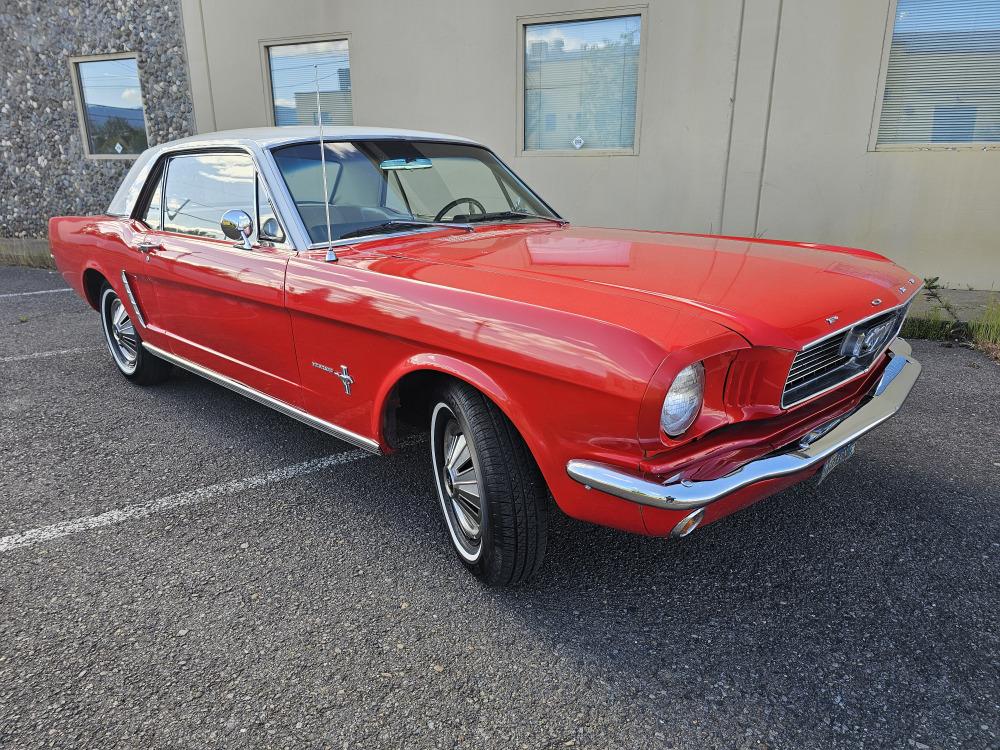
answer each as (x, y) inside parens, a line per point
(200, 188)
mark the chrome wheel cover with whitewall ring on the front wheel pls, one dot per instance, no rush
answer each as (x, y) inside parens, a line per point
(457, 473)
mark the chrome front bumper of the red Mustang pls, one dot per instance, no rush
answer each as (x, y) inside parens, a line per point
(887, 397)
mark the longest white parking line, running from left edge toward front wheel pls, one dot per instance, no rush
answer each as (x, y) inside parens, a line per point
(189, 497)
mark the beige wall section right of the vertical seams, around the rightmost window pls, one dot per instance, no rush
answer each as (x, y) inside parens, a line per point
(935, 211)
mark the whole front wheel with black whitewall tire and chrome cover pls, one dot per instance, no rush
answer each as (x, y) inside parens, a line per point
(493, 497)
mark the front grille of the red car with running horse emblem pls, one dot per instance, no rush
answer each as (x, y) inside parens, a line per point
(841, 356)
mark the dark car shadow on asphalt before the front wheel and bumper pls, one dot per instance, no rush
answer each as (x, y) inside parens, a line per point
(859, 607)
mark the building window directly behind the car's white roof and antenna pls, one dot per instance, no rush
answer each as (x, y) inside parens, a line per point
(293, 70)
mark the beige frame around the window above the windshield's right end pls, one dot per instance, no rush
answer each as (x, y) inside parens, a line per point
(522, 22)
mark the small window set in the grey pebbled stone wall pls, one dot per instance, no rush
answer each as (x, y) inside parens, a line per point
(109, 101)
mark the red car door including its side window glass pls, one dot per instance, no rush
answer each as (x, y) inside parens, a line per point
(222, 305)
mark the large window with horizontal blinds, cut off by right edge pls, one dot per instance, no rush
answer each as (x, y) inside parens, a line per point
(942, 75)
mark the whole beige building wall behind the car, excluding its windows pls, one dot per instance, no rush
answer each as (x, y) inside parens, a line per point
(755, 116)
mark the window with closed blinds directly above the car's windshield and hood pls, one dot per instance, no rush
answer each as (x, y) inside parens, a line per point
(581, 84)
